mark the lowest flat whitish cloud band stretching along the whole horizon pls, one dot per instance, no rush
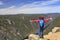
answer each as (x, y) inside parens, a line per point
(30, 10)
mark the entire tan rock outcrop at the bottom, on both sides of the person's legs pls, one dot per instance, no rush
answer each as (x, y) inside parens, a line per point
(50, 36)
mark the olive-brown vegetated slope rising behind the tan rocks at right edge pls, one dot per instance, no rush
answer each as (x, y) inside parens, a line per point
(55, 23)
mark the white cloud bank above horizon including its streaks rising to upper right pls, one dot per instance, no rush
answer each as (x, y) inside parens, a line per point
(35, 7)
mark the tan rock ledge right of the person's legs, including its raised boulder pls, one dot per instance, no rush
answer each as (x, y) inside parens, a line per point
(53, 35)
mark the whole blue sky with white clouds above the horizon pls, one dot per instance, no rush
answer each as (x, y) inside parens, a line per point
(29, 6)
